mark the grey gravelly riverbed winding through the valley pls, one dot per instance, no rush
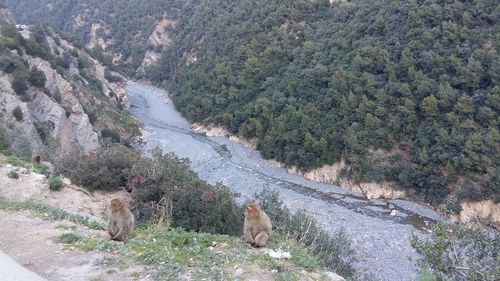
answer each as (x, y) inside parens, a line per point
(380, 240)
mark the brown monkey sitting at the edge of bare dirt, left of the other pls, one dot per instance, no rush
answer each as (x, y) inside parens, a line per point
(121, 221)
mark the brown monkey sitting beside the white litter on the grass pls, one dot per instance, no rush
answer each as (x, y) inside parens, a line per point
(257, 227)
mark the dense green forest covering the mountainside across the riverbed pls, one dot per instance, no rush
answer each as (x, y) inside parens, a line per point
(317, 82)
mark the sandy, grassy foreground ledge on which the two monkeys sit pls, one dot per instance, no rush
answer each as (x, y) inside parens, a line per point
(61, 235)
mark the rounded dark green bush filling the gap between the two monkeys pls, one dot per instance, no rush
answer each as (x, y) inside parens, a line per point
(195, 205)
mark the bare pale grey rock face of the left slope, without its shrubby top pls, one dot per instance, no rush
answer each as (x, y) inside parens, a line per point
(61, 110)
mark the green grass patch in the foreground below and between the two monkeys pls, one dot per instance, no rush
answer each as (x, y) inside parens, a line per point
(174, 252)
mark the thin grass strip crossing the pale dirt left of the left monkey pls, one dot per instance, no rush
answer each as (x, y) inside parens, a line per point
(48, 212)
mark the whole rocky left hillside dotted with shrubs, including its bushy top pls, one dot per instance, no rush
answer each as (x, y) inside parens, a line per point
(57, 96)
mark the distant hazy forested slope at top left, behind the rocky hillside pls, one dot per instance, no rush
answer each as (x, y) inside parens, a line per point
(124, 25)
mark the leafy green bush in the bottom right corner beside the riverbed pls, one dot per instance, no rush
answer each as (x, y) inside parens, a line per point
(454, 252)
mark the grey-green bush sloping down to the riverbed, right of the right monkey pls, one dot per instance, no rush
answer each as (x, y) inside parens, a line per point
(333, 250)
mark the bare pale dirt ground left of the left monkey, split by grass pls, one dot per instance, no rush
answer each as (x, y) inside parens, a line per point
(31, 240)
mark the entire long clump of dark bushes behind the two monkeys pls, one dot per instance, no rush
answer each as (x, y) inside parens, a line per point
(163, 183)
